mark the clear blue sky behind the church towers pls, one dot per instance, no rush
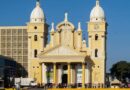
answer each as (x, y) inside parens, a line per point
(17, 13)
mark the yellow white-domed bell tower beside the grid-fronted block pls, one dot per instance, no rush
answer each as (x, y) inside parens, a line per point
(37, 40)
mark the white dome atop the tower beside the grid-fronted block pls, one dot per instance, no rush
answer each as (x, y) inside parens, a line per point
(37, 15)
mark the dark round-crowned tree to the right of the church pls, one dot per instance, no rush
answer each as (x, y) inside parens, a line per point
(121, 70)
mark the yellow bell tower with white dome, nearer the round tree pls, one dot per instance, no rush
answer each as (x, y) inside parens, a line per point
(97, 43)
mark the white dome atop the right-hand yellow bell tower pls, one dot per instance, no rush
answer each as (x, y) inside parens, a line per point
(97, 14)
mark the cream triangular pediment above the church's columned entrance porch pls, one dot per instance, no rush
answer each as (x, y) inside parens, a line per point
(61, 51)
